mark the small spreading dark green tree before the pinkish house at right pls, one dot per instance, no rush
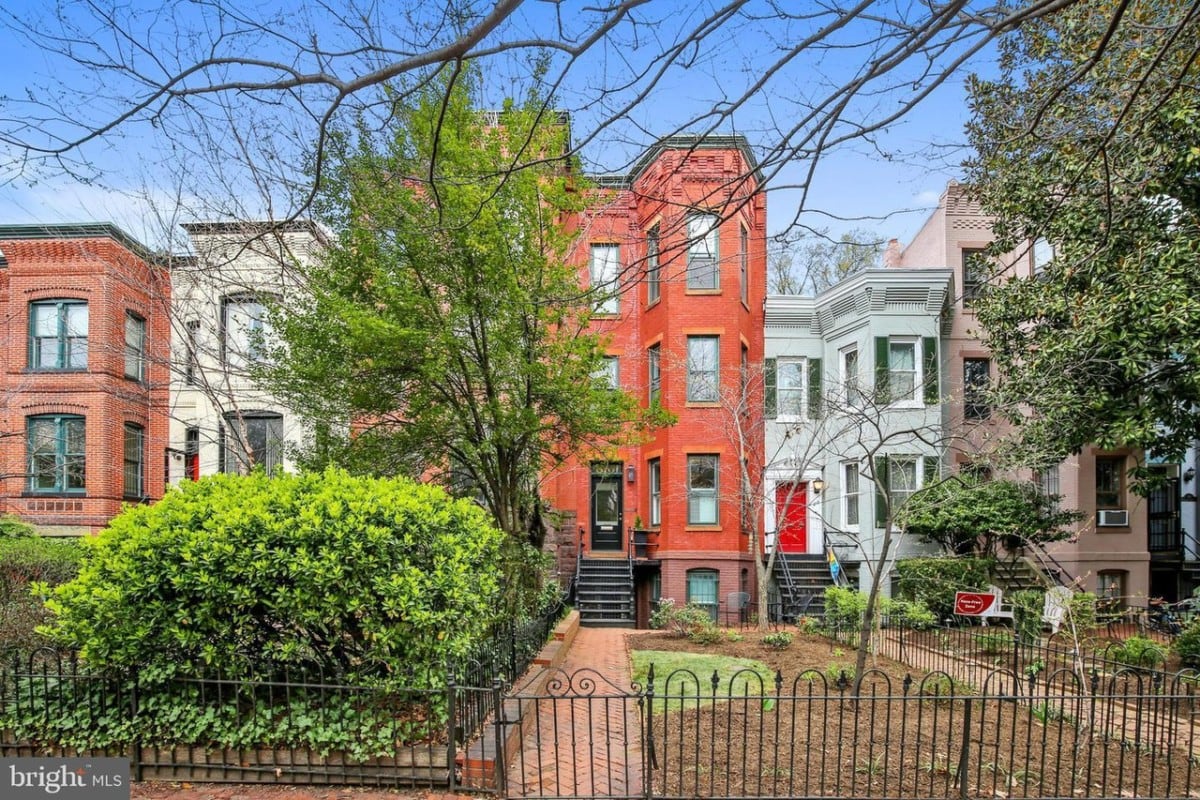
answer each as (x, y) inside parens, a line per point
(973, 518)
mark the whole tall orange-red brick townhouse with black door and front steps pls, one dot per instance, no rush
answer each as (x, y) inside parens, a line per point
(682, 243)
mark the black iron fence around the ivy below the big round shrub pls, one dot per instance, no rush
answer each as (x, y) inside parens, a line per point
(293, 729)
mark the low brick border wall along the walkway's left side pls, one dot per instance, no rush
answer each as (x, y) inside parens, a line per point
(477, 766)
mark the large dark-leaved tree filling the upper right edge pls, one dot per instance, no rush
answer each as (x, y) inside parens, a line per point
(1089, 142)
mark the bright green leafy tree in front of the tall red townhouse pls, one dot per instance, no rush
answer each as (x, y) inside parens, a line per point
(448, 320)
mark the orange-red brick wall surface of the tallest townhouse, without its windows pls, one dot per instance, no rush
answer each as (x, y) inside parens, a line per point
(677, 179)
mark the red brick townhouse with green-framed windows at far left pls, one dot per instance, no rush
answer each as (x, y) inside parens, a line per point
(85, 375)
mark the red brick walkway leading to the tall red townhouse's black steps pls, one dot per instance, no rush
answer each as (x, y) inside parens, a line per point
(584, 738)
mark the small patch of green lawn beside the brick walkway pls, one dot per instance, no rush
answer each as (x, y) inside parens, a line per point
(687, 678)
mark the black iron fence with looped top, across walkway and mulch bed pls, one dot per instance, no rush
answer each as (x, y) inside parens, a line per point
(811, 736)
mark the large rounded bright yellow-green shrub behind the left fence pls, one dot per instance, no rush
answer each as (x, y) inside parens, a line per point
(256, 576)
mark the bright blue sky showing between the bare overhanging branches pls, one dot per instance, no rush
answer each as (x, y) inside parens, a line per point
(887, 185)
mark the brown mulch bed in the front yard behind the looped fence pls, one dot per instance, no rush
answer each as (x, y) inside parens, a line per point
(819, 741)
